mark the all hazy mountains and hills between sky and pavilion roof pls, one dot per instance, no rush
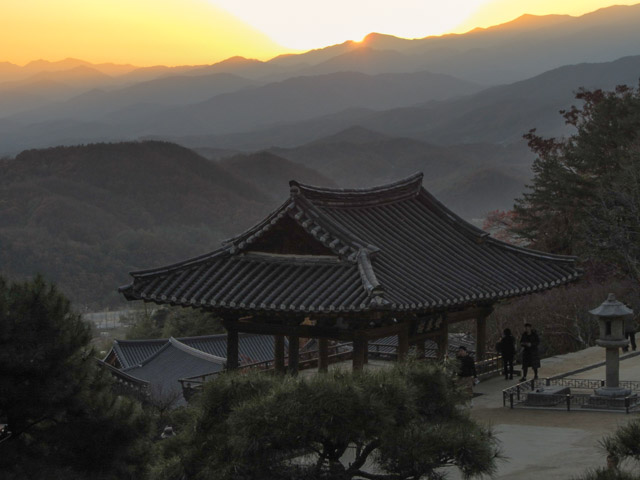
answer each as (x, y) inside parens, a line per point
(349, 115)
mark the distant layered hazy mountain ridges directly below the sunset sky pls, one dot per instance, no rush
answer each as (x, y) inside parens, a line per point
(49, 103)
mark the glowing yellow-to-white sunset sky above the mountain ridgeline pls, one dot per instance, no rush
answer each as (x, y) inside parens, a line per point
(174, 32)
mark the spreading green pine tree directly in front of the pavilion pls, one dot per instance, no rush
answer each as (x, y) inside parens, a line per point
(401, 423)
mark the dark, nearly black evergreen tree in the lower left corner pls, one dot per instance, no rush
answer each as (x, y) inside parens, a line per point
(65, 422)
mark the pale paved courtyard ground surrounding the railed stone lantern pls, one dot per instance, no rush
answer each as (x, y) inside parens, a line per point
(551, 444)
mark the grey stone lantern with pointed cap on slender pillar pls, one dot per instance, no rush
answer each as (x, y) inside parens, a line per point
(611, 316)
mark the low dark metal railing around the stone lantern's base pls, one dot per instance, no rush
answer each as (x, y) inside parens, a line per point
(581, 396)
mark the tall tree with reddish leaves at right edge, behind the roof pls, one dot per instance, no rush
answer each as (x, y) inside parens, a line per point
(585, 194)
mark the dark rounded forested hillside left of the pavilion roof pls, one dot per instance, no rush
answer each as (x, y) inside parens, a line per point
(85, 216)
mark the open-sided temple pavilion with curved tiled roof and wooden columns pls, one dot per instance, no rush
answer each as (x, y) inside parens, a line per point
(354, 265)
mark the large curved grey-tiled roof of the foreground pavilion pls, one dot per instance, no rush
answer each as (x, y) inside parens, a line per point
(393, 247)
